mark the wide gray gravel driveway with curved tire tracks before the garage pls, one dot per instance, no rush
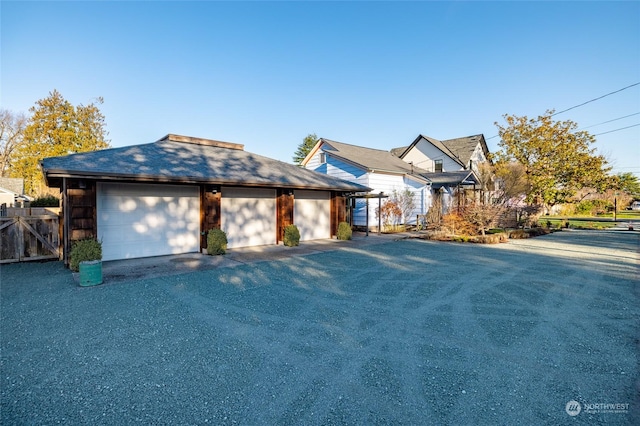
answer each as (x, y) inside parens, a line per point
(404, 332)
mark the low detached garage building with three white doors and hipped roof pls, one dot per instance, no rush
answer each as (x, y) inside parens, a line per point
(160, 198)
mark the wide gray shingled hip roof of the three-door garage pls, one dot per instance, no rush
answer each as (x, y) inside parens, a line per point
(190, 160)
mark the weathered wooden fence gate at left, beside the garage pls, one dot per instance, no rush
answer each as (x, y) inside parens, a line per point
(25, 238)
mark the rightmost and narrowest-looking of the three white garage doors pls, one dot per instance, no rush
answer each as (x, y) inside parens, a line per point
(312, 214)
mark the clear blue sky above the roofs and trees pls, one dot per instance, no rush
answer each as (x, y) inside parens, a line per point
(377, 74)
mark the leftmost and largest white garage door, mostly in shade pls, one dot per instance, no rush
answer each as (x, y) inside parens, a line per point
(140, 220)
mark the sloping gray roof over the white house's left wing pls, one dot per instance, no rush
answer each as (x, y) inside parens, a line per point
(369, 158)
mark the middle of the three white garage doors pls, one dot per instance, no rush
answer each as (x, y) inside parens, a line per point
(248, 216)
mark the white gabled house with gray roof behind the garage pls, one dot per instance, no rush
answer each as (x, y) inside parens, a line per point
(427, 167)
